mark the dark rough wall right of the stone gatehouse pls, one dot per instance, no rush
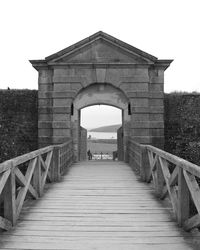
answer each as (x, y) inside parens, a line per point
(182, 125)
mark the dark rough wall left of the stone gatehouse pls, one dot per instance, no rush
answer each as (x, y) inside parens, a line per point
(18, 123)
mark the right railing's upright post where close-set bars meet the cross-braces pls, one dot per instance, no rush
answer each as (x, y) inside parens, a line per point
(144, 164)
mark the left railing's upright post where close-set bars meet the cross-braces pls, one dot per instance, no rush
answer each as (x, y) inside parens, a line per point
(56, 164)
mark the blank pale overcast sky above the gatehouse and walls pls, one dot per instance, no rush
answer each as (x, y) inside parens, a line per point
(34, 29)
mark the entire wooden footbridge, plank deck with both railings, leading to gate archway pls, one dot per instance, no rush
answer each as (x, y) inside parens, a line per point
(99, 204)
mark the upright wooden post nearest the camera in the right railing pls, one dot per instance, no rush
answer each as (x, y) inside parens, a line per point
(183, 198)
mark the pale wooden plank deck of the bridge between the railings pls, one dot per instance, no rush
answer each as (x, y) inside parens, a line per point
(98, 205)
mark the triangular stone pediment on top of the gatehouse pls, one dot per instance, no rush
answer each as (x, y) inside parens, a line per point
(101, 48)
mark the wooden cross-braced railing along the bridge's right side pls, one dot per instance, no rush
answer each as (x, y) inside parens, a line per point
(172, 177)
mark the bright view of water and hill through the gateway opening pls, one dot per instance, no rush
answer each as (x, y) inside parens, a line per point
(102, 123)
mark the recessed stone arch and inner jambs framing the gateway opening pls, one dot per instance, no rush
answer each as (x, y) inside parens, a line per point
(99, 94)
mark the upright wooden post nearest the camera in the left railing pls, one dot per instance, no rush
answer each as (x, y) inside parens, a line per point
(9, 198)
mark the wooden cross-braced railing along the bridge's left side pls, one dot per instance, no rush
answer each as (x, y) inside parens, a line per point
(25, 177)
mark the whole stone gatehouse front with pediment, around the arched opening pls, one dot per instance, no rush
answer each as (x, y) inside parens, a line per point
(100, 70)
